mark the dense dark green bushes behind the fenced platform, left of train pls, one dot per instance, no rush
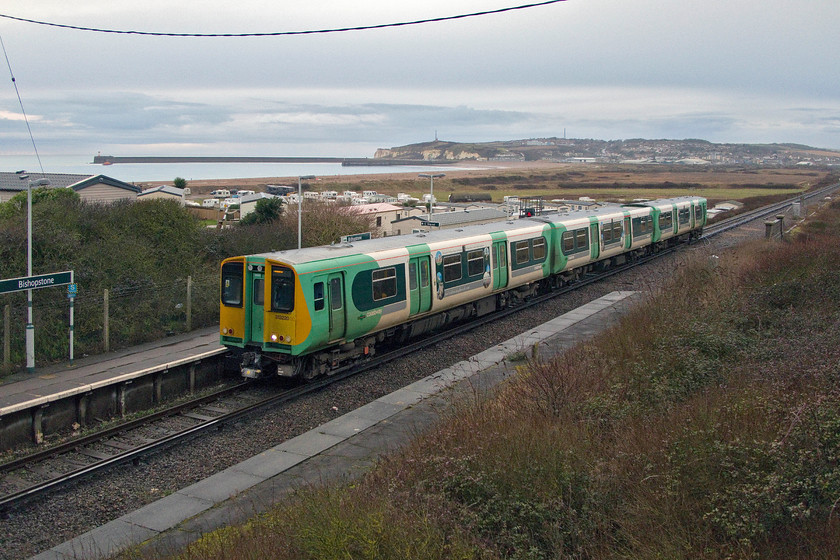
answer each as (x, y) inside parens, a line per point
(142, 253)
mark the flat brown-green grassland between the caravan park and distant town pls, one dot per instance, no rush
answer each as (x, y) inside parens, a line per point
(559, 180)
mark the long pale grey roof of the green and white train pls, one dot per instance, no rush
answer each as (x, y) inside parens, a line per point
(324, 252)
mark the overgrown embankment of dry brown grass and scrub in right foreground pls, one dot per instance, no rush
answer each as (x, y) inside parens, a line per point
(706, 425)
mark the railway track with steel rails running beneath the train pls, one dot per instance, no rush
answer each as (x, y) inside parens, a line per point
(36, 474)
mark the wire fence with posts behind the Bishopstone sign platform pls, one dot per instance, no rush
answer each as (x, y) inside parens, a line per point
(120, 317)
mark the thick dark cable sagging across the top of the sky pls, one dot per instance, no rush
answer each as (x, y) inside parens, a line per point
(286, 33)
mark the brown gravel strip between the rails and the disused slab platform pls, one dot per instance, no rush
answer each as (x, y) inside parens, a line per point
(65, 514)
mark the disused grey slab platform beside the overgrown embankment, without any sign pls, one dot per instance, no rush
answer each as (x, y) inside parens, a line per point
(341, 449)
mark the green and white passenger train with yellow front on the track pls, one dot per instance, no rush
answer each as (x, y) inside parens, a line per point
(307, 312)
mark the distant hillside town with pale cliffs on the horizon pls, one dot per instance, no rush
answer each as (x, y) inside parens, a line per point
(633, 151)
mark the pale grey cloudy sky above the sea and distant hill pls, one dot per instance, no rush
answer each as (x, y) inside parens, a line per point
(721, 70)
